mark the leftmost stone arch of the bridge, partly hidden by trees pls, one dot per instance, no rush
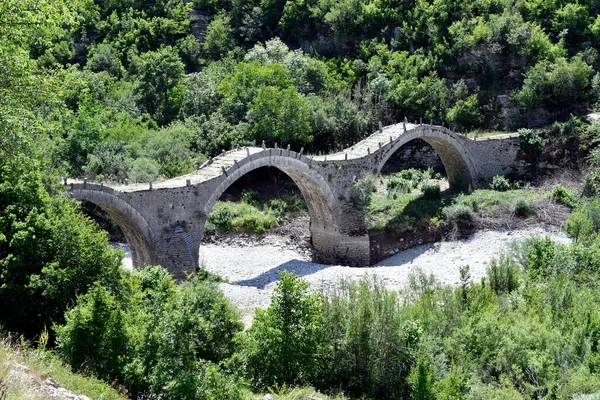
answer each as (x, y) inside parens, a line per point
(135, 227)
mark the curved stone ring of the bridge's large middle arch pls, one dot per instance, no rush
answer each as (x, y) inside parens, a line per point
(316, 192)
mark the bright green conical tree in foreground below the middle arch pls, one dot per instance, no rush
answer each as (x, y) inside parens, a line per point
(286, 341)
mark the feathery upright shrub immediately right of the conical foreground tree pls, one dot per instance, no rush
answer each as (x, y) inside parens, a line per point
(368, 357)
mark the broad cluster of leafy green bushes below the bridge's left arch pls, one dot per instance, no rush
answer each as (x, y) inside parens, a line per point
(153, 336)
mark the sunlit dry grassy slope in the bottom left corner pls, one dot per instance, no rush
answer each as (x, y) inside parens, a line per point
(43, 365)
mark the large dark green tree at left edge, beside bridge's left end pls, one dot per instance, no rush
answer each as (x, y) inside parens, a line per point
(49, 253)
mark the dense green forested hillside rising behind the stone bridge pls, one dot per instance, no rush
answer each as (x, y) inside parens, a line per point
(152, 88)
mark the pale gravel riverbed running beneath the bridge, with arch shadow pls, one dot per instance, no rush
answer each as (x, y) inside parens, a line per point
(251, 268)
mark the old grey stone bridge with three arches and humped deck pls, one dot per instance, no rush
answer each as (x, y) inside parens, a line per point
(164, 223)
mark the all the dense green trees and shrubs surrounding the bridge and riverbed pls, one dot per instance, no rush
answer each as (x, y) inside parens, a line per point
(142, 90)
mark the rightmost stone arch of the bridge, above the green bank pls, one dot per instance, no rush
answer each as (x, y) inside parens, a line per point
(455, 157)
